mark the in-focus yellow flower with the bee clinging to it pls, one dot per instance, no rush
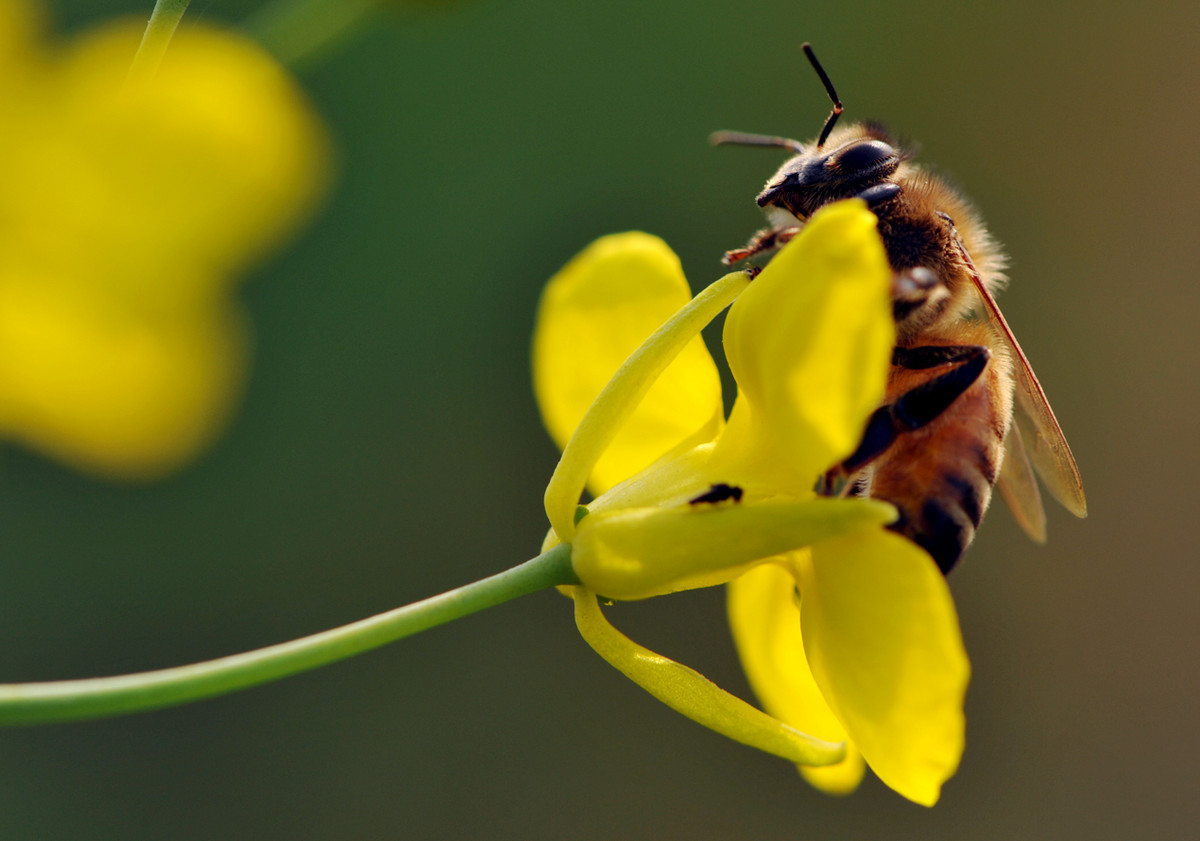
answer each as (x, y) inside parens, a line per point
(853, 645)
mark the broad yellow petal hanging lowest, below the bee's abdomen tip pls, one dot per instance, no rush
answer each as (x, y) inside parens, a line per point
(885, 647)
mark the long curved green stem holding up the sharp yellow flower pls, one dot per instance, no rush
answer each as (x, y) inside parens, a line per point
(98, 698)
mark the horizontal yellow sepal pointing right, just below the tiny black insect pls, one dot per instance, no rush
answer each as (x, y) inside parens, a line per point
(637, 554)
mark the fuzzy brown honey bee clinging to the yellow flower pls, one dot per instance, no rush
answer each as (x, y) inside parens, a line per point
(947, 431)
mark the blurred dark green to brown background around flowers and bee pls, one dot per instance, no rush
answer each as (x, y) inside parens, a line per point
(389, 447)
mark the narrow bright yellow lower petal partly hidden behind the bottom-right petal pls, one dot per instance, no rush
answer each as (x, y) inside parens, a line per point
(766, 624)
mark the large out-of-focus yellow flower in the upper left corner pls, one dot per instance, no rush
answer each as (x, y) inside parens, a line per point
(128, 208)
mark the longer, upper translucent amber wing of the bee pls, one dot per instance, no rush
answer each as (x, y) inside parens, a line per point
(1048, 447)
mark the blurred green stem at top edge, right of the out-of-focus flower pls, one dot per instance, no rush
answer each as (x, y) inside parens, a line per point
(297, 32)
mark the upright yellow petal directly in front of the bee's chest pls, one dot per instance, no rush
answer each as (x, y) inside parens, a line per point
(809, 345)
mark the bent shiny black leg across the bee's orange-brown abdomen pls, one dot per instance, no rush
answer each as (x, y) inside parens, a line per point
(915, 409)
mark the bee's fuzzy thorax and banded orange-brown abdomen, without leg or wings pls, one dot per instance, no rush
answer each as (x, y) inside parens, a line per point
(941, 477)
